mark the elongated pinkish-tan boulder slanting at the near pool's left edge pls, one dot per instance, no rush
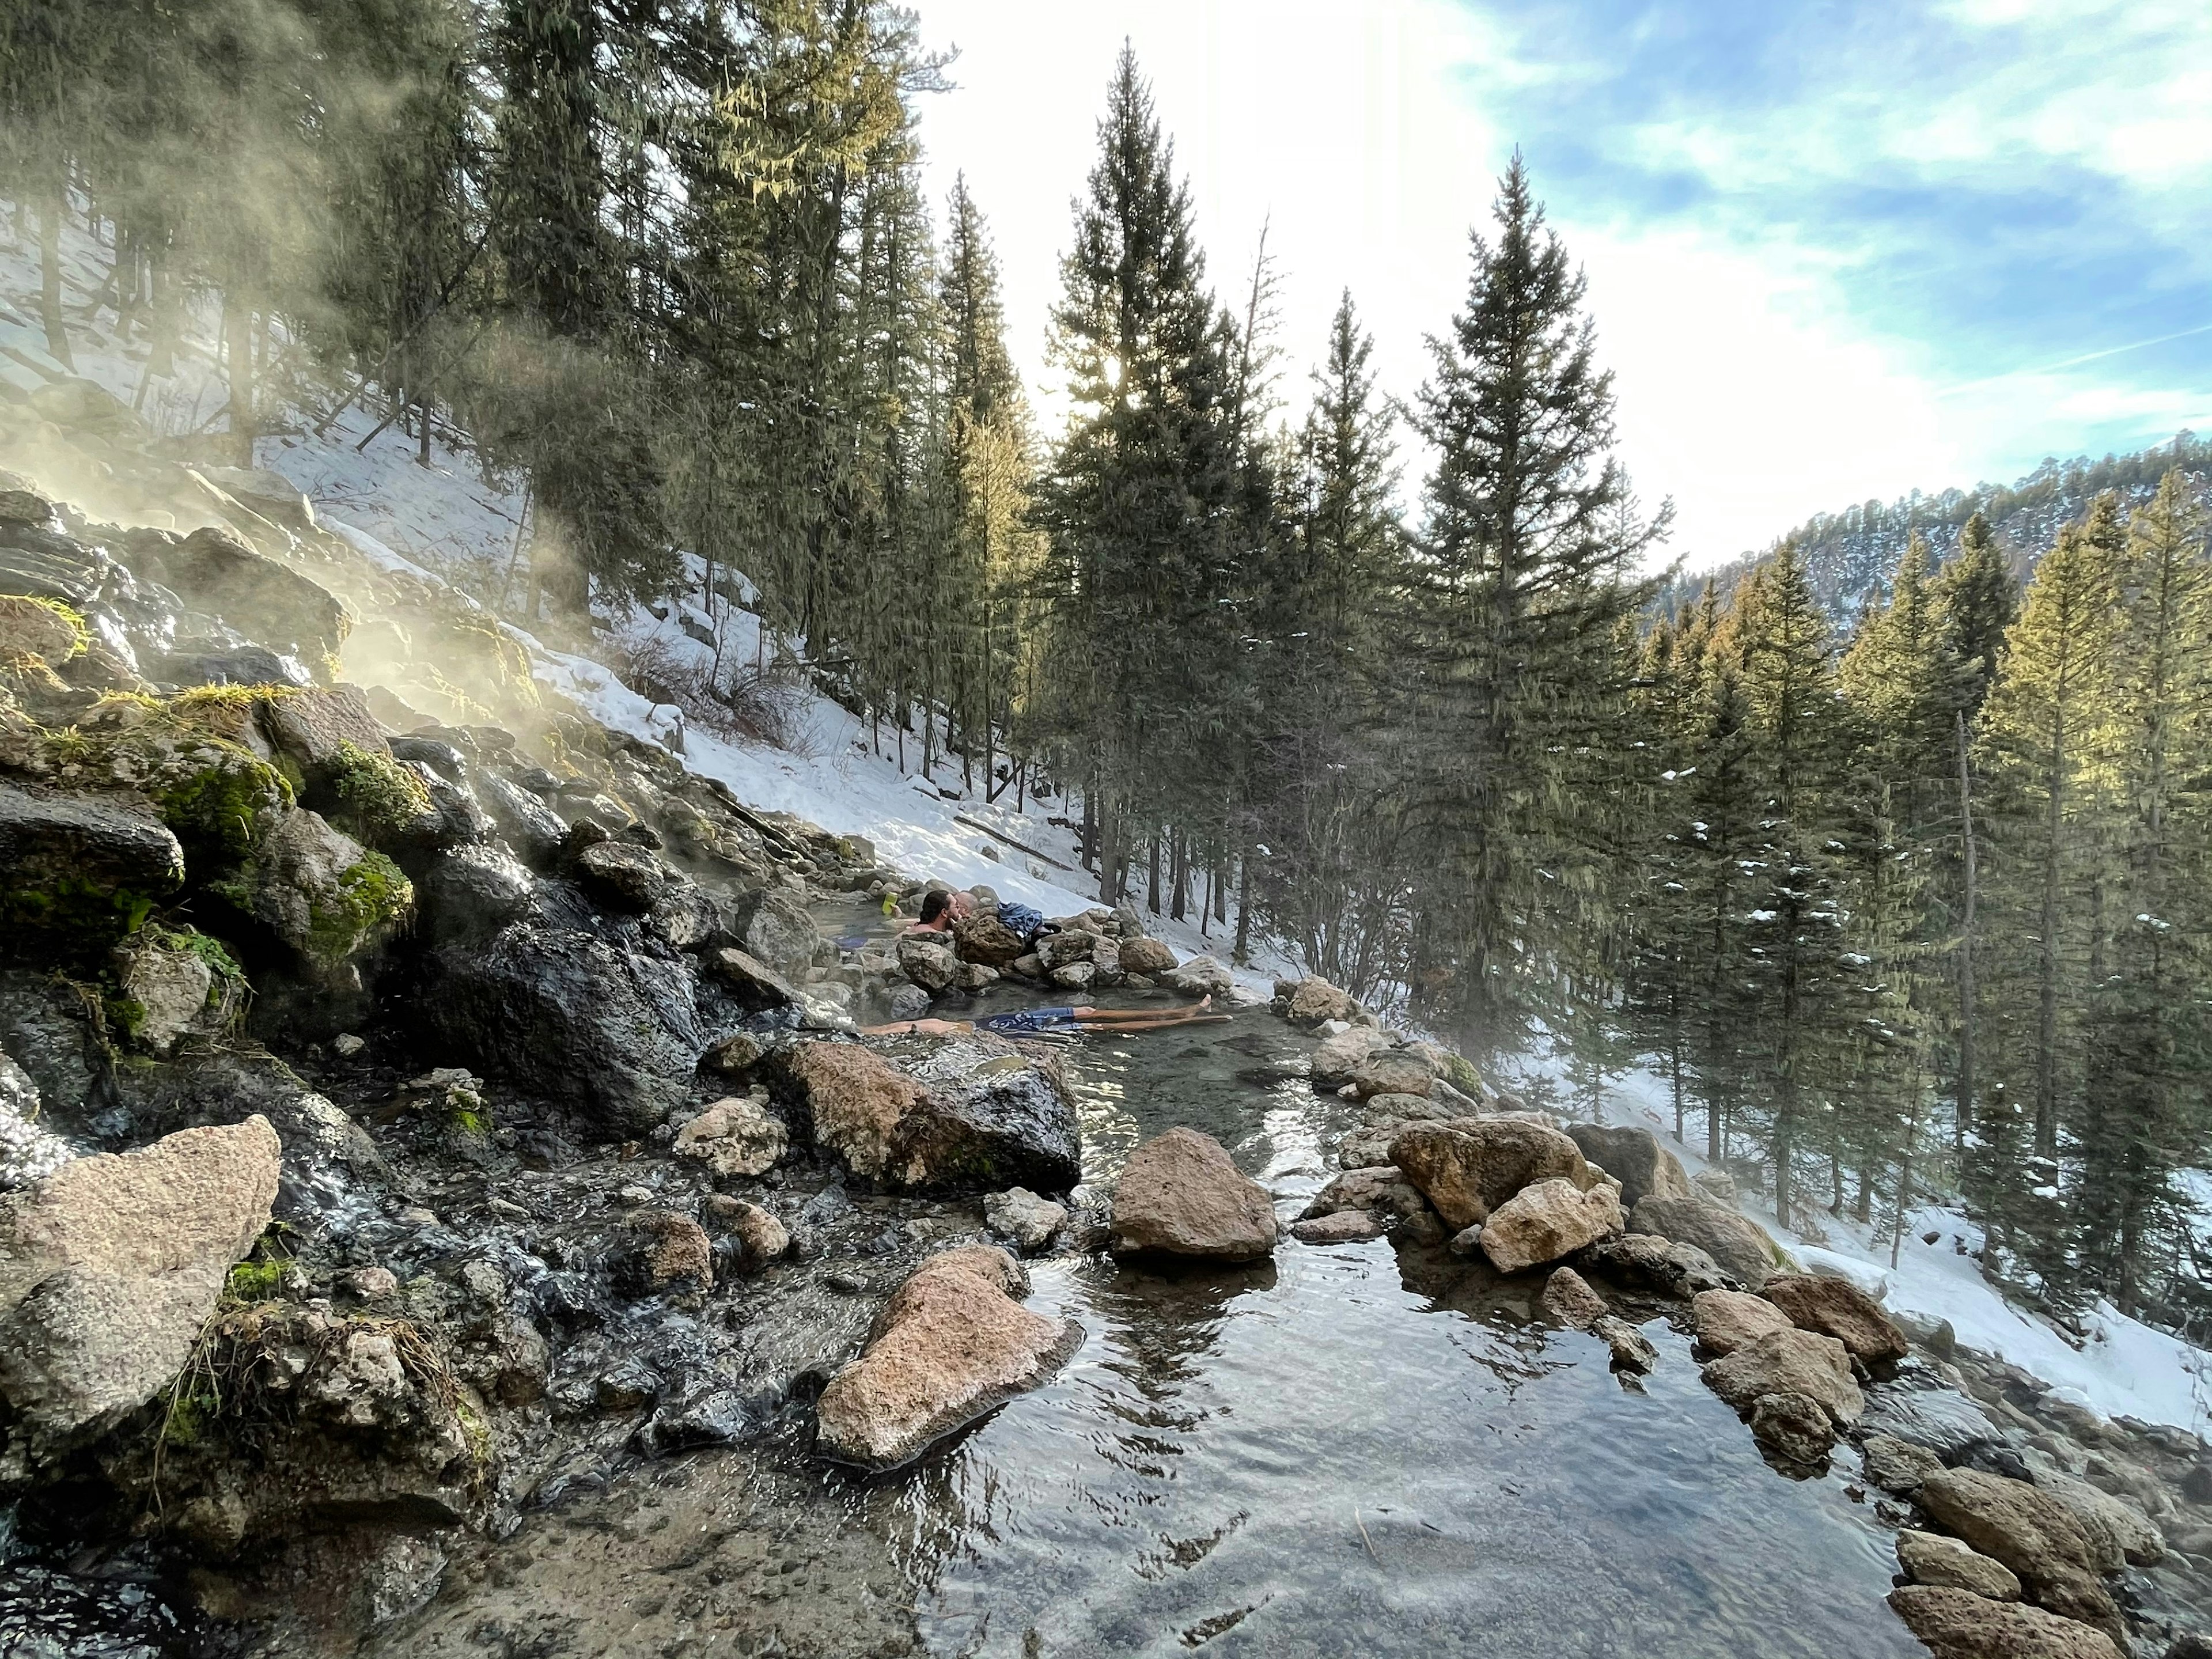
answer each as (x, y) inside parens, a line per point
(948, 1348)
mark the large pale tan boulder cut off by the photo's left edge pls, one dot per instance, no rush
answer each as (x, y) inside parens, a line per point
(109, 1269)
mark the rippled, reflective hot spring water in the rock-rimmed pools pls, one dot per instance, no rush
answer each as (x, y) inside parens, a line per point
(1355, 1450)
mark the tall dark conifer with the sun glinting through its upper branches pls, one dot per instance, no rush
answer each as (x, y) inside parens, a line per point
(1145, 574)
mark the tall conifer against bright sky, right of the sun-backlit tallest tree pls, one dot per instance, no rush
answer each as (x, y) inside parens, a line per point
(1523, 581)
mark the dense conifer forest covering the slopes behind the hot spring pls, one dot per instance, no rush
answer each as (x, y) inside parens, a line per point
(1888, 848)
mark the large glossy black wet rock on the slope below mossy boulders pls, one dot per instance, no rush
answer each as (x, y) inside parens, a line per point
(612, 1034)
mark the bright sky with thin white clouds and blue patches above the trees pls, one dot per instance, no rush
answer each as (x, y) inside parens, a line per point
(1835, 251)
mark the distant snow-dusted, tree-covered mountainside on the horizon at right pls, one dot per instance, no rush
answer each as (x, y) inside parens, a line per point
(1853, 556)
